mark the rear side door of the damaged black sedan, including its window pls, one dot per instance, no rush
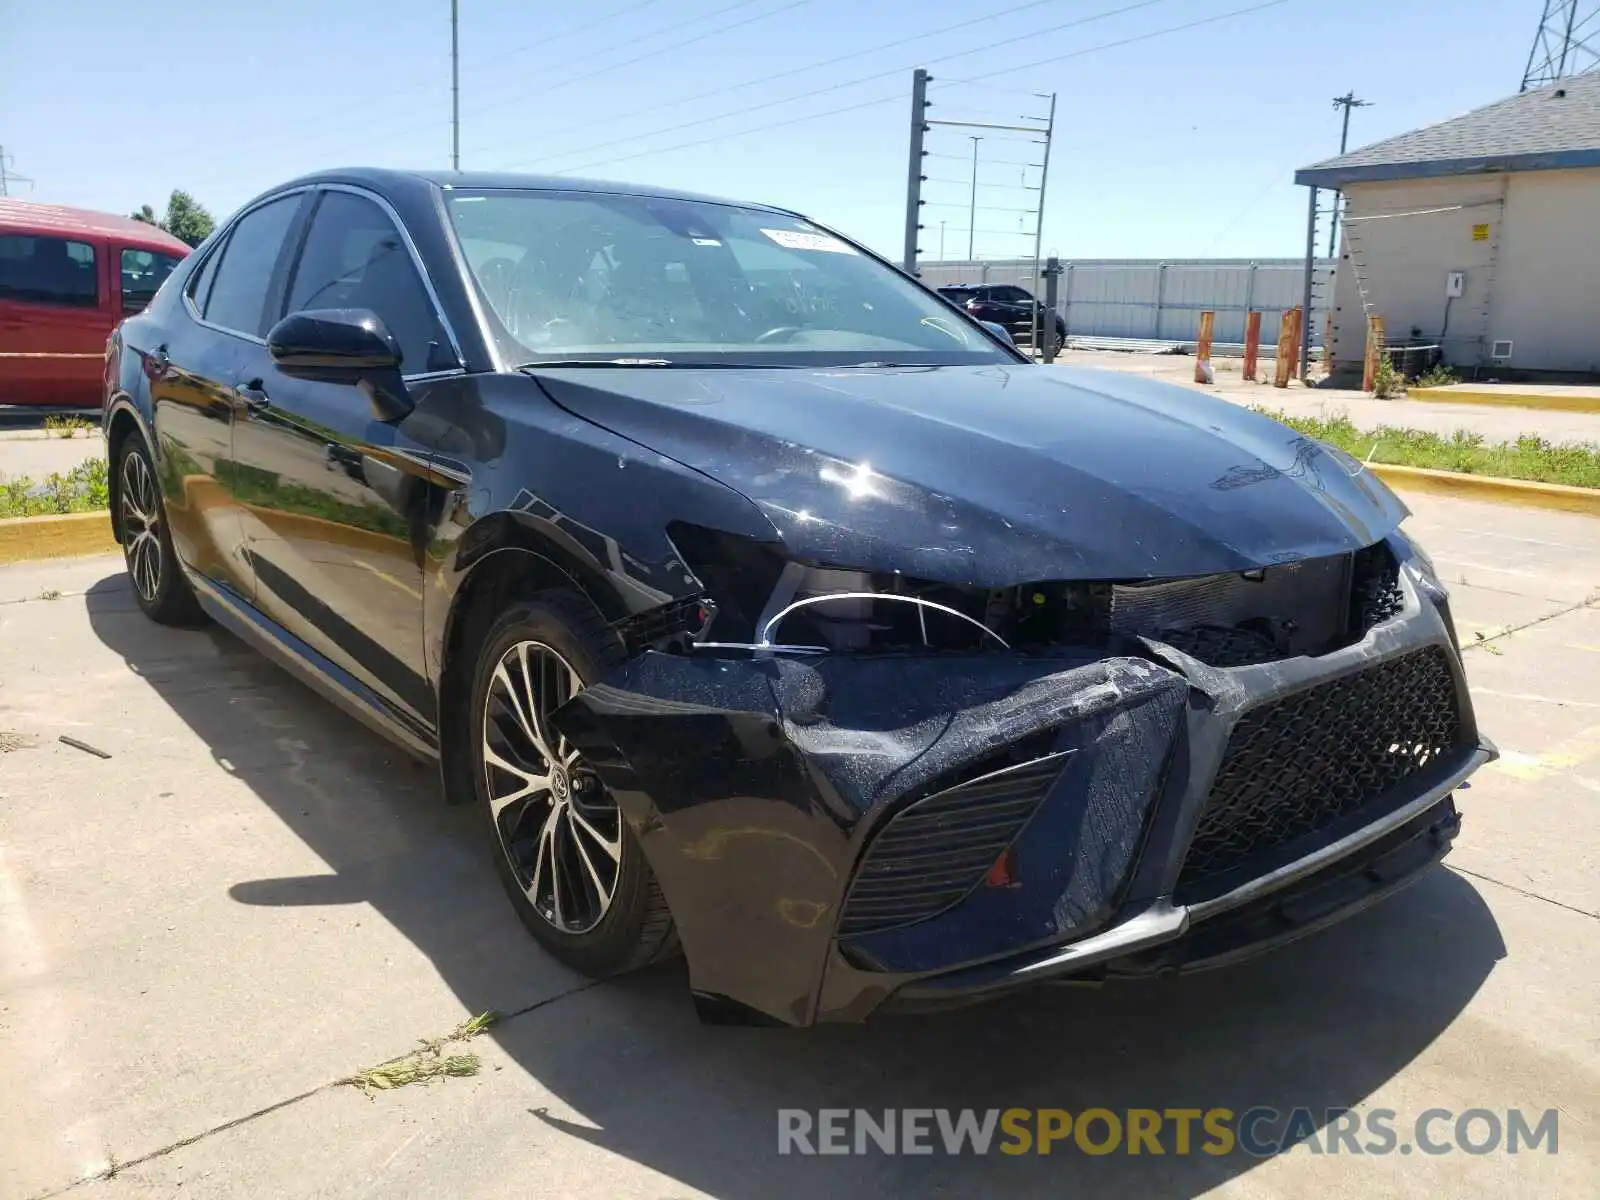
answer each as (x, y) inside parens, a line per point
(194, 367)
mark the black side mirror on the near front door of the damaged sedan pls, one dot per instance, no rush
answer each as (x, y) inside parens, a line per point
(343, 346)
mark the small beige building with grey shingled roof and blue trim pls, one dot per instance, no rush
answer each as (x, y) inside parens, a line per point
(1479, 233)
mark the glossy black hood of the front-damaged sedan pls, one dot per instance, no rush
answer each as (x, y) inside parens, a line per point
(996, 476)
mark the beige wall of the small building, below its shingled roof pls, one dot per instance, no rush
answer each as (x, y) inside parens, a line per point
(1530, 252)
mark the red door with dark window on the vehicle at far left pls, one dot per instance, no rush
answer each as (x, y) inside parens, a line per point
(54, 319)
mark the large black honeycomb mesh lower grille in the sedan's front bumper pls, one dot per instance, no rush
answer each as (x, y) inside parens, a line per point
(1300, 764)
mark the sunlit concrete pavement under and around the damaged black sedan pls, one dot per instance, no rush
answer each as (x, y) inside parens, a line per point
(255, 898)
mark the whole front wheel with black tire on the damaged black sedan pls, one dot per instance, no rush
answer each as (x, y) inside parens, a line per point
(561, 839)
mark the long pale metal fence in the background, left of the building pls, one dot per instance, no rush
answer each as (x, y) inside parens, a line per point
(1161, 302)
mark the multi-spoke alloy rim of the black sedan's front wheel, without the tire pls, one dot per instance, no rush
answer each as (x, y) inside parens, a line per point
(559, 830)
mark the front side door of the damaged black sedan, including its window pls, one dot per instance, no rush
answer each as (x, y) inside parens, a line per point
(340, 500)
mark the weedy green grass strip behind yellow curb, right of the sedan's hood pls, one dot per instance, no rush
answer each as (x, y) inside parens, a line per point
(1527, 458)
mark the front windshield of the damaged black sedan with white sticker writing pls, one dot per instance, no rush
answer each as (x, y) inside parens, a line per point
(590, 276)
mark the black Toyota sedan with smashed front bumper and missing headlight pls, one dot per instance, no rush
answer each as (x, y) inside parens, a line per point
(770, 607)
